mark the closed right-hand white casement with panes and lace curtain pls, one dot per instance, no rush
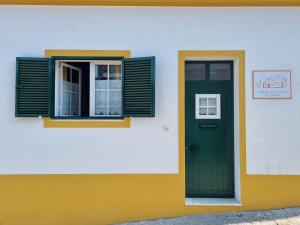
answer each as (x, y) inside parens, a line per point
(106, 88)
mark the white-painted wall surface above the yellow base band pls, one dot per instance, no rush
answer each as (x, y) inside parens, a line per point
(270, 36)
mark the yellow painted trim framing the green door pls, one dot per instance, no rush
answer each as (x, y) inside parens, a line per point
(240, 56)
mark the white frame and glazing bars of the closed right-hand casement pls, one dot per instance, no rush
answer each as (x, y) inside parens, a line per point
(93, 90)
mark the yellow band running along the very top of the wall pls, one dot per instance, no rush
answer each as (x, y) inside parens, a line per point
(157, 2)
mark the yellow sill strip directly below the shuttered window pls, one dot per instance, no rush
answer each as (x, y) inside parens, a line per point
(77, 123)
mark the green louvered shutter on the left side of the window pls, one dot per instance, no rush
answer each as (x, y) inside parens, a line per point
(32, 87)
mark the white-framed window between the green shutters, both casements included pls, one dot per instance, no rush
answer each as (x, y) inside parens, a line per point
(102, 88)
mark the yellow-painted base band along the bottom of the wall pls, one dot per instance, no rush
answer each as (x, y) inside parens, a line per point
(106, 199)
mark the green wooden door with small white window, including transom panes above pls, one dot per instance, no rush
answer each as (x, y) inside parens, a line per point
(209, 147)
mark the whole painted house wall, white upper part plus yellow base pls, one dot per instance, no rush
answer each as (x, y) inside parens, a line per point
(116, 193)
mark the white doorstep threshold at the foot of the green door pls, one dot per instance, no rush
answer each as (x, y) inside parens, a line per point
(213, 201)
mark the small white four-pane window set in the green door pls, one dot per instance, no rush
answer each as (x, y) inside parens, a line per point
(208, 106)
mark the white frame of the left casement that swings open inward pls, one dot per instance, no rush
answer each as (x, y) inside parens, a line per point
(59, 88)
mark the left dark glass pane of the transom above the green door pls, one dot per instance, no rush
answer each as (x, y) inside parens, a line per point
(195, 71)
